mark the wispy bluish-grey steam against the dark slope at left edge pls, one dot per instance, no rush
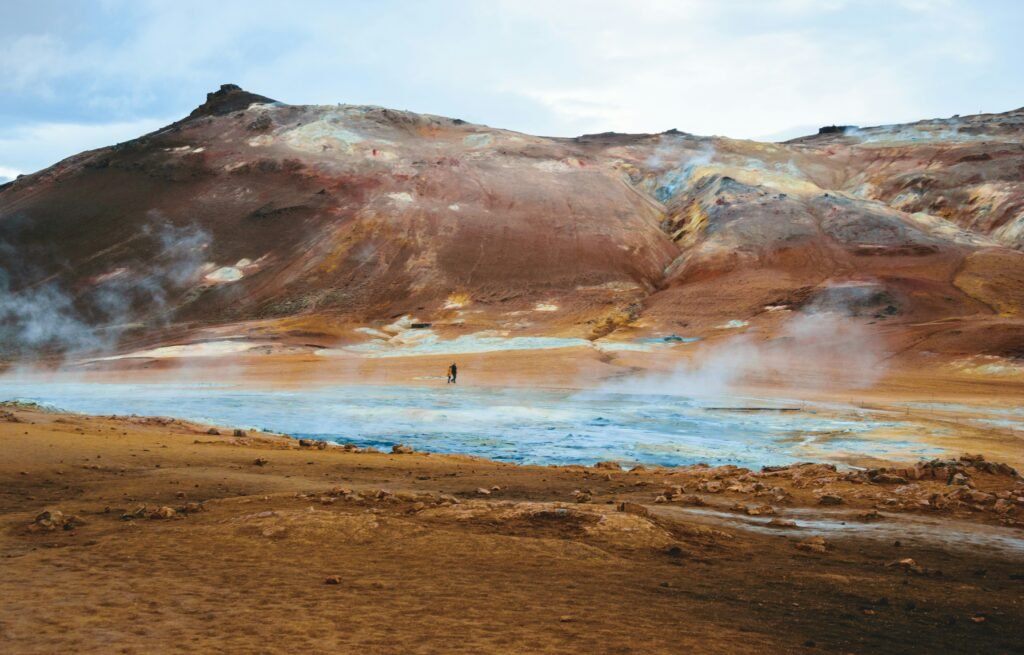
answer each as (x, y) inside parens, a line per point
(55, 317)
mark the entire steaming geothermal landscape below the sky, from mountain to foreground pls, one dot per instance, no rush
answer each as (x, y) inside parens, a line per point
(713, 396)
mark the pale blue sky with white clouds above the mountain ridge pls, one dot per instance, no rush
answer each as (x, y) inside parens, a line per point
(77, 75)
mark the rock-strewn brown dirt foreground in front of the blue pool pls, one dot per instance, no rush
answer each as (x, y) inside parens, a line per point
(162, 538)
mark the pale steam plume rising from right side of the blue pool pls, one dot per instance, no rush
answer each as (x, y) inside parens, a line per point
(820, 351)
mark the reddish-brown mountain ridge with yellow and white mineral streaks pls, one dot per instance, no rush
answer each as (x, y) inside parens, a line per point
(254, 213)
